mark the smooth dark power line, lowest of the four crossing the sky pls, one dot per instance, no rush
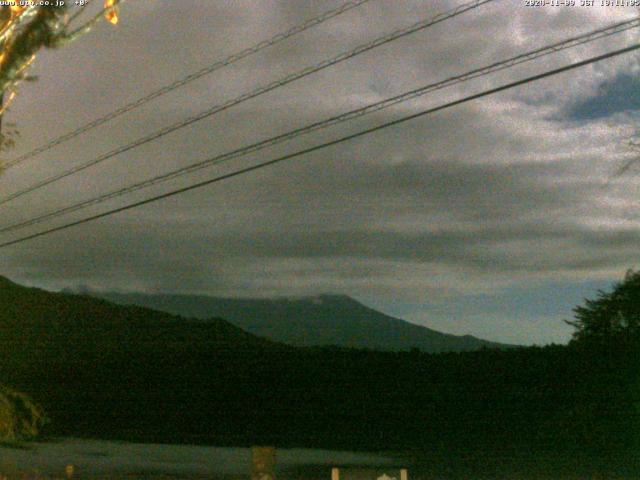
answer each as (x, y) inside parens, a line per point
(361, 133)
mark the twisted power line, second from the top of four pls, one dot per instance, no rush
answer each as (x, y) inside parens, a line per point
(255, 93)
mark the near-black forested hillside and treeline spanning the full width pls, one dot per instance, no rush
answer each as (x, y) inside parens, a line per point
(109, 371)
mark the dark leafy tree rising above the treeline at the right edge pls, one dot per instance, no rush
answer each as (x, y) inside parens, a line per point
(611, 317)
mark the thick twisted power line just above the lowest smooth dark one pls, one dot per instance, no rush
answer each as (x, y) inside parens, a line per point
(252, 148)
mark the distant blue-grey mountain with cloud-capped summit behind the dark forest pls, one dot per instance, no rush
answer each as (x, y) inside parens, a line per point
(312, 321)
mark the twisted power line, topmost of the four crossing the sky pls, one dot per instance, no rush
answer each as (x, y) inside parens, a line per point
(188, 79)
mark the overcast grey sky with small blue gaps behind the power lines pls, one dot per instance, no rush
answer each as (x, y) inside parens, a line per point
(493, 218)
